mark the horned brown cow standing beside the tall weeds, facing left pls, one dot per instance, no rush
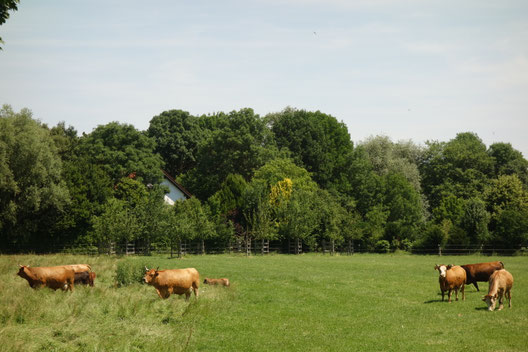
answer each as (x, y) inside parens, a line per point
(176, 281)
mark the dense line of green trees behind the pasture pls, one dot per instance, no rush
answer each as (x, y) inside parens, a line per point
(291, 175)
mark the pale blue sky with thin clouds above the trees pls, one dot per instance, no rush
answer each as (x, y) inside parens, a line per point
(407, 69)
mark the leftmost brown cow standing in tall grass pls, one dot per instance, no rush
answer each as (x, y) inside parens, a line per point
(54, 277)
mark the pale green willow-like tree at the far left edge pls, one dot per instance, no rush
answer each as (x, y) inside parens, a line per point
(32, 193)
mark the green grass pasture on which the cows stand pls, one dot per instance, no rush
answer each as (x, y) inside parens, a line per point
(364, 302)
